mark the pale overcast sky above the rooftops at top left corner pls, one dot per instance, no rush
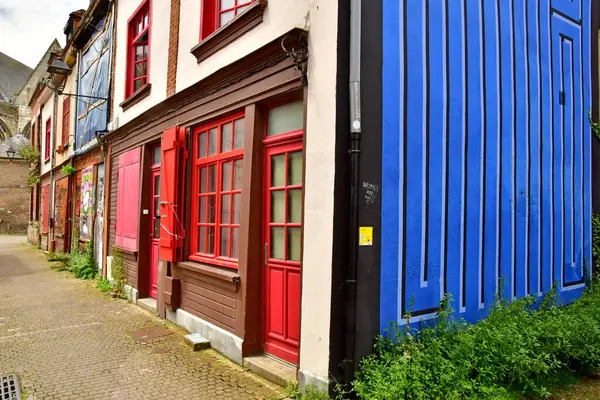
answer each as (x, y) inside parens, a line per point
(27, 27)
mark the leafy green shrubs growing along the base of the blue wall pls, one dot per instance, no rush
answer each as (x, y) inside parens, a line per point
(514, 352)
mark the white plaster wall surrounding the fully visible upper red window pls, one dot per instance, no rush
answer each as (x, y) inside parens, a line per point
(159, 50)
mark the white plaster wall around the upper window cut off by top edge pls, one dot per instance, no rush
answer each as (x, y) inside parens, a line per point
(279, 17)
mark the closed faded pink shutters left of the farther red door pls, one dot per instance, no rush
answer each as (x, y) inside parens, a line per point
(128, 196)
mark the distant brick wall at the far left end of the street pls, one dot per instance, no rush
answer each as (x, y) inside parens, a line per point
(14, 196)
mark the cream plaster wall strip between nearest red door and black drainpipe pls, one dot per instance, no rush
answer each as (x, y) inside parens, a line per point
(319, 183)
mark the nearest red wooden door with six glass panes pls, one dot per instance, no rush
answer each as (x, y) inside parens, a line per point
(282, 256)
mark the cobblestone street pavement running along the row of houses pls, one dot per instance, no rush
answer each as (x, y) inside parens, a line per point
(67, 340)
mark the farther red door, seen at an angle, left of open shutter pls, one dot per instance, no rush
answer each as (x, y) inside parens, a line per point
(155, 215)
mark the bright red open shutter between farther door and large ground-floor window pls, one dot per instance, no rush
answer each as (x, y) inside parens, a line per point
(171, 210)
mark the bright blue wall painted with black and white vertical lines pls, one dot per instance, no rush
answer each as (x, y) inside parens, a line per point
(486, 153)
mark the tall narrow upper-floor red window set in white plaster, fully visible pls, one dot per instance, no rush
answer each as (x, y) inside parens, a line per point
(138, 58)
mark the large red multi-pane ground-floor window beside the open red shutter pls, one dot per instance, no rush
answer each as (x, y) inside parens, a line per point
(218, 173)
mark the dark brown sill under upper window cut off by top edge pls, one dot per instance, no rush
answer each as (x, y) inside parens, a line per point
(225, 35)
